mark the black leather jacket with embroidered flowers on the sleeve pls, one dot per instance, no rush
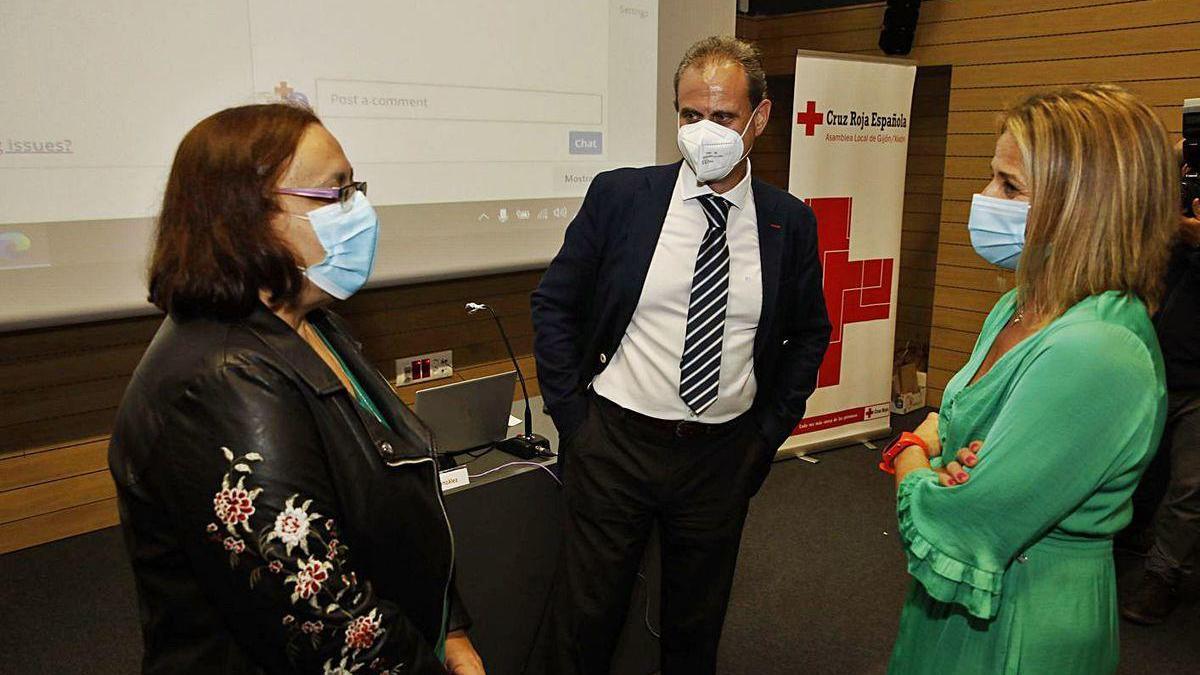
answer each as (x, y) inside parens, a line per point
(274, 524)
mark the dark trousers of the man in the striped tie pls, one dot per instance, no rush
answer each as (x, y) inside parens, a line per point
(623, 474)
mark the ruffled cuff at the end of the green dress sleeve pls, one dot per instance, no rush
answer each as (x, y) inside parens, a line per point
(945, 578)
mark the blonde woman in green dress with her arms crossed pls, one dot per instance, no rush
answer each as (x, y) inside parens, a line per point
(1013, 565)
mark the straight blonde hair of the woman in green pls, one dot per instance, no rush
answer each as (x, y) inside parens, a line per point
(1105, 196)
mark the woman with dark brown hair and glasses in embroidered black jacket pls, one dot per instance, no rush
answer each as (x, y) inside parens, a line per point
(281, 506)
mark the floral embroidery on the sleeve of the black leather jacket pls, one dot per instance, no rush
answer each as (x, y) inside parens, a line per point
(340, 606)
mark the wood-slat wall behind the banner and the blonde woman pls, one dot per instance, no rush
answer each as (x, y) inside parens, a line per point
(1000, 51)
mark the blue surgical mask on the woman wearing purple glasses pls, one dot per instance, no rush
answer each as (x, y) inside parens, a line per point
(350, 238)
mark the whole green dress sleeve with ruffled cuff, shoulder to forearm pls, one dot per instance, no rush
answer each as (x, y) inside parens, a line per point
(1069, 426)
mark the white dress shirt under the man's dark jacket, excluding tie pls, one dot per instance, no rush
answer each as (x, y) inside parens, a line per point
(644, 374)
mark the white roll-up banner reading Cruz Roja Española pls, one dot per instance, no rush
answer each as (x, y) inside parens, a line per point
(850, 145)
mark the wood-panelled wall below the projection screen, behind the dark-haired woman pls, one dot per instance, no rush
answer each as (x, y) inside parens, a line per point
(61, 387)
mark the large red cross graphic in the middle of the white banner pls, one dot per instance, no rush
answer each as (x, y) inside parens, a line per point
(856, 291)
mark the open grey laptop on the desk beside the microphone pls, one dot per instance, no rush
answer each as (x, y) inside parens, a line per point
(470, 415)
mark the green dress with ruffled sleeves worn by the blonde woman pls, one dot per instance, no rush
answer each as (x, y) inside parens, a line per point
(1013, 571)
